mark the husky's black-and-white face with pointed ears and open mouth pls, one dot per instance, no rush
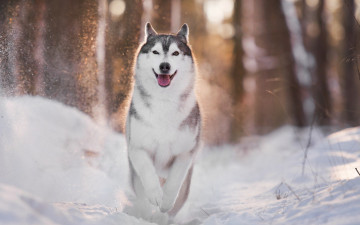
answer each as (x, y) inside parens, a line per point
(164, 61)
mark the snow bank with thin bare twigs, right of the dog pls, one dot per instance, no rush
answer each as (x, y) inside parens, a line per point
(267, 186)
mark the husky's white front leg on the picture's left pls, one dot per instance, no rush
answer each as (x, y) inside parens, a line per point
(144, 168)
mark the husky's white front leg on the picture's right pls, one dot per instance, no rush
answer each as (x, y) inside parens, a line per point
(175, 179)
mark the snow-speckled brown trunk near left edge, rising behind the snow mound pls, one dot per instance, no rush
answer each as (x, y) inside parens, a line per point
(27, 42)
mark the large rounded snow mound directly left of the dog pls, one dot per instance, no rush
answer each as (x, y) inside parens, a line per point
(60, 154)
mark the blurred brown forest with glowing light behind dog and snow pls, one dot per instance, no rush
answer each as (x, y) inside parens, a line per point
(262, 64)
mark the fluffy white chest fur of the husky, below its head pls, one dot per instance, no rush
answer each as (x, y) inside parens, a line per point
(159, 131)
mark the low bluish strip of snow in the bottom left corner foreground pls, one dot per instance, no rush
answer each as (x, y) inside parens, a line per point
(20, 208)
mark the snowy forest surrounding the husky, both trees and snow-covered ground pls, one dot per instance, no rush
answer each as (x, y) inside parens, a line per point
(278, 85)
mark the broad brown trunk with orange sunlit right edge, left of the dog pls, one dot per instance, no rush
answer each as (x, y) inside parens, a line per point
(70, 75)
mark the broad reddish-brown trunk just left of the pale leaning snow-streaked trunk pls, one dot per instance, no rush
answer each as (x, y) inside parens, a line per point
(278, 93)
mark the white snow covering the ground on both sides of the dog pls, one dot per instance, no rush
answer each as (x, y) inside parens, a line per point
(58, 167)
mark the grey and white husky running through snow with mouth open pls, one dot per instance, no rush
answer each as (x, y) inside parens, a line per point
(163, 123)
